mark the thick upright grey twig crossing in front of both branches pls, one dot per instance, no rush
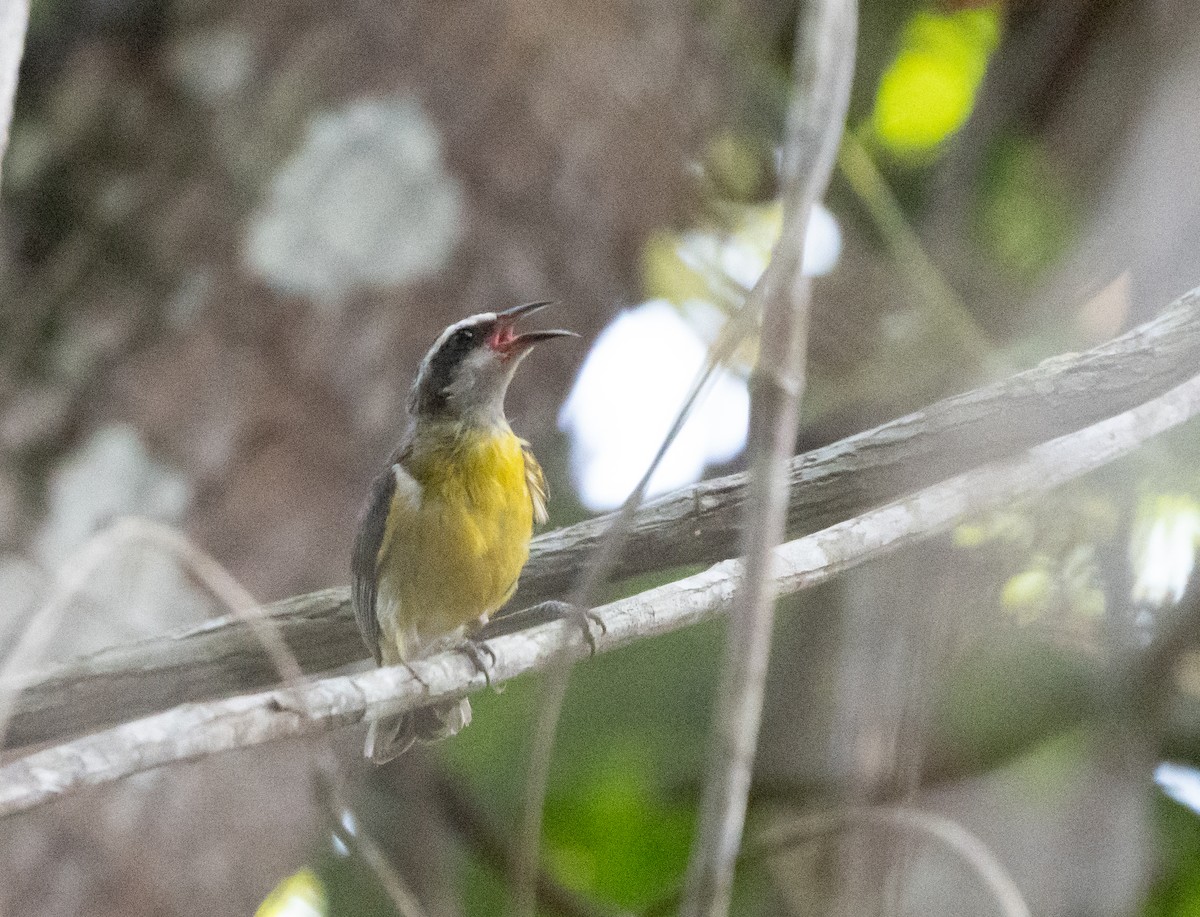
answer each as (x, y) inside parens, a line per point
(825, 68)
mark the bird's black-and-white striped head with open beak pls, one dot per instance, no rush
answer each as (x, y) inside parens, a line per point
(467, 371)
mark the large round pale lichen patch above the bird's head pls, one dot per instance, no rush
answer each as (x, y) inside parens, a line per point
(364, 203)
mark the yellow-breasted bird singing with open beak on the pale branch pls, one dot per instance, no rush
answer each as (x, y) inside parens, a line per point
(446, 530)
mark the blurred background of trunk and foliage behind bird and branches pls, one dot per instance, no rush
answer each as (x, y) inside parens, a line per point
(231, 231)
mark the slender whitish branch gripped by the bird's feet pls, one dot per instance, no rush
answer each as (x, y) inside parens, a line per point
(197, 730)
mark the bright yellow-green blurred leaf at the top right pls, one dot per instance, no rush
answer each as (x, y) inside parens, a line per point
(929, 91)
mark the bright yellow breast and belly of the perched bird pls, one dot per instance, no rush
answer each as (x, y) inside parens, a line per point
(458, 555)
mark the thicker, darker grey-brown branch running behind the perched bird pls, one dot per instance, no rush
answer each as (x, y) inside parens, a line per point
(694, 525)
